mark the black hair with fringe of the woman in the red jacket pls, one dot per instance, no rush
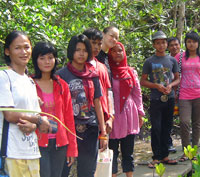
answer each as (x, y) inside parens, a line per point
(40, 49)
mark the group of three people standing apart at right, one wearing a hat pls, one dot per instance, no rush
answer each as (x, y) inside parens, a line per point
(173, 79)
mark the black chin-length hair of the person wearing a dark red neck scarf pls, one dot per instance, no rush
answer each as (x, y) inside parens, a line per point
(73, 43)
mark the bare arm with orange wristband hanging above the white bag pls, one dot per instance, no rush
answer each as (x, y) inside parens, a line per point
(99, 112)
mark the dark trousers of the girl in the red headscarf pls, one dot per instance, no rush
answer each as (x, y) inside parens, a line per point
(127, 146)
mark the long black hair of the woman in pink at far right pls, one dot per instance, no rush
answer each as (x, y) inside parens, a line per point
(194, 36)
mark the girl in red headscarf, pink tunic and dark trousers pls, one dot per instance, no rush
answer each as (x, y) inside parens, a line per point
(128, 109)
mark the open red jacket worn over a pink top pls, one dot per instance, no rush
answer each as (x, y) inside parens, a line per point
(64, 111)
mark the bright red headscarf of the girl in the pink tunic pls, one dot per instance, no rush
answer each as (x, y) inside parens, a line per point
(124, 73)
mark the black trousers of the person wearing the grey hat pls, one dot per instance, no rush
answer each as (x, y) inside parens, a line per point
(161, 116)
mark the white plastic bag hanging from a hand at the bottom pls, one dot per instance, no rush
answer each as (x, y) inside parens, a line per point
(104, 163)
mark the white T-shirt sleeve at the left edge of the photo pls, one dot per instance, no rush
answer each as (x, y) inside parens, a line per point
(6, 99)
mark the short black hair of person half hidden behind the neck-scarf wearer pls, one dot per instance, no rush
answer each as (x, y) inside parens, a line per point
(93, 34)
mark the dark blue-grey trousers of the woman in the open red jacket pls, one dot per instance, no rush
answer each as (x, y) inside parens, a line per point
(52, 160)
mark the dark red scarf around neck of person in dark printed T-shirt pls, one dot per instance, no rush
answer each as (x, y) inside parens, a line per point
(86, 75)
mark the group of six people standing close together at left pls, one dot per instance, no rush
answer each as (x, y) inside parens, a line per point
(95, 95)
